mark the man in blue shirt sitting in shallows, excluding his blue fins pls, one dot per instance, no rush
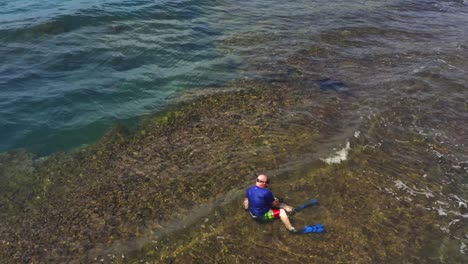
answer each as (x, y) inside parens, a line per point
(264, 206)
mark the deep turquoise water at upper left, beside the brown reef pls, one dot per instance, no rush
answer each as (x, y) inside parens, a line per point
(73, 68)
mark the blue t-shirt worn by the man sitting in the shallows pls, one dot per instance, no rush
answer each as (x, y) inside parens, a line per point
(260, 200)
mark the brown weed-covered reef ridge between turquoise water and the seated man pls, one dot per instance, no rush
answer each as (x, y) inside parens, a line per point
(67, 205)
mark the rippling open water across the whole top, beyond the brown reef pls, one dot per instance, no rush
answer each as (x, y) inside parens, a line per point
(70, 69)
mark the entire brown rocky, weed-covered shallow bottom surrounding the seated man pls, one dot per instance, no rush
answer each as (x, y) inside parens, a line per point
(170, 191)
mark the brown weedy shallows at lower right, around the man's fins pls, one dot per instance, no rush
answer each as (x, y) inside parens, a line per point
(377, 207)
